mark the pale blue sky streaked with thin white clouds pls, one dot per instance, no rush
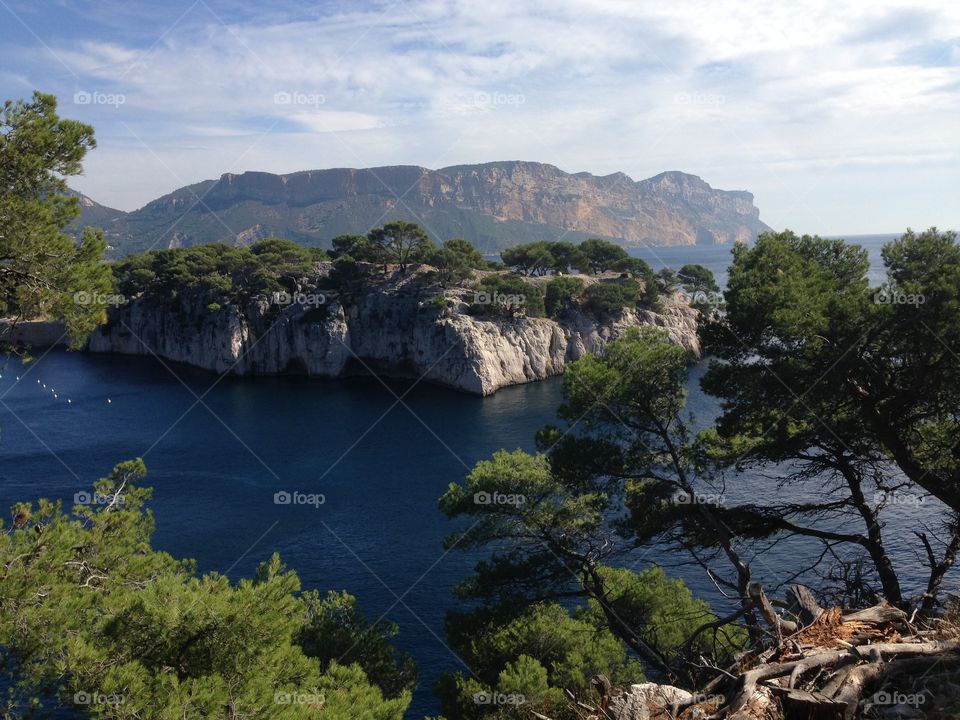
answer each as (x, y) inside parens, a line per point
(840, 117)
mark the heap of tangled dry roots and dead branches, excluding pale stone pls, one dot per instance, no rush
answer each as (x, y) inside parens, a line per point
(840, 665)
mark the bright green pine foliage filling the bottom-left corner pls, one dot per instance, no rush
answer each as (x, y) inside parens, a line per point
(121, 630)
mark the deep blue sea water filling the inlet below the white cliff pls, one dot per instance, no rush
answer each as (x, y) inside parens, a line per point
(381, 465)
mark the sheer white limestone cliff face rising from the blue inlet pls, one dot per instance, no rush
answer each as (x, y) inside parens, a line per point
(388, 330)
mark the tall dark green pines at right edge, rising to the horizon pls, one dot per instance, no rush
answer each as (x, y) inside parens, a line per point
(854, 388)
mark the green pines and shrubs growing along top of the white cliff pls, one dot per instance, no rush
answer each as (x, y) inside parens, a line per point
(219, 275)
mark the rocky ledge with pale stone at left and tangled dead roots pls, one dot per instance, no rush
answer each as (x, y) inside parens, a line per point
(830, 664)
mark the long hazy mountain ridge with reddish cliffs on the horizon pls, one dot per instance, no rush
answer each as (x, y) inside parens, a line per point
(493, 205)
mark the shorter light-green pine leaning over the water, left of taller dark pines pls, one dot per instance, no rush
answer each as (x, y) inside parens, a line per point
(548, 519)
